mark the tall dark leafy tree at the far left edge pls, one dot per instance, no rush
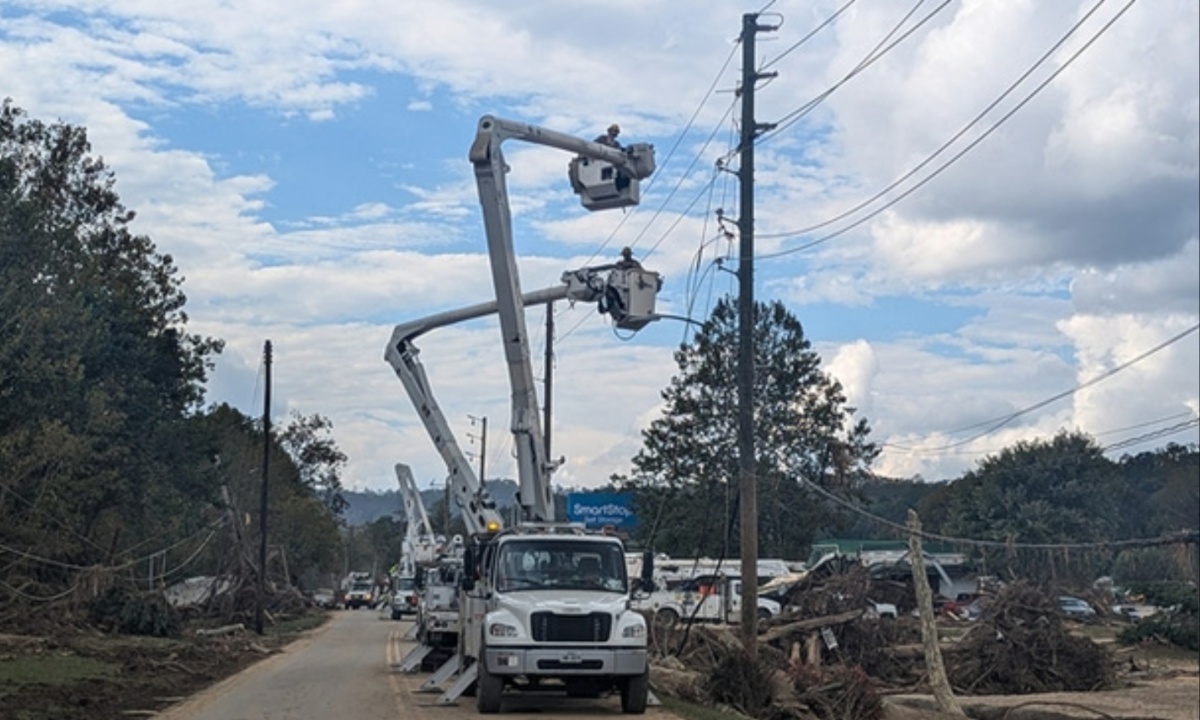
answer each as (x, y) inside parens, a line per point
(98, 374)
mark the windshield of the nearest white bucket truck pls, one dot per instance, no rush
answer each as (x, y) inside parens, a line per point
(548, 565)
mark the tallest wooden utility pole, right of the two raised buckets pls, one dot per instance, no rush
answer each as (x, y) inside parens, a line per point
(748, 490)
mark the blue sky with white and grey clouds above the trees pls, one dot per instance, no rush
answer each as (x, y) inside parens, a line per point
(305, 164)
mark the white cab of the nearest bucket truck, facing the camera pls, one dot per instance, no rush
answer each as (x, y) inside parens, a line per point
(557, 613)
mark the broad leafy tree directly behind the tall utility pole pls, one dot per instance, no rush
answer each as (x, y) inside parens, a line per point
(805, 433)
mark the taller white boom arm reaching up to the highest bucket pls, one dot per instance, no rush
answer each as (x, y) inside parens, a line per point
(637, 163)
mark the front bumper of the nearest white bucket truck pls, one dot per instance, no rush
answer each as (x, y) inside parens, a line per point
(566, 662)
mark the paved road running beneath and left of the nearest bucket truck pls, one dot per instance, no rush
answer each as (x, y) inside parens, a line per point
(343, 671)
